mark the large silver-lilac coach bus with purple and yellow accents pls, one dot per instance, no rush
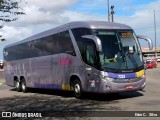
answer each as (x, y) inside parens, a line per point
(85, 56)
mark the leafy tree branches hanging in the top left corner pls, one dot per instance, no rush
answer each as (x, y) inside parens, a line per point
(9, 12)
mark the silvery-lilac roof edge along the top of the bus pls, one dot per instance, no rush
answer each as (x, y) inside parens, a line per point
(77, 24)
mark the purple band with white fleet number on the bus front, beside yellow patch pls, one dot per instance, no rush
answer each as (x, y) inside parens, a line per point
(122, 76)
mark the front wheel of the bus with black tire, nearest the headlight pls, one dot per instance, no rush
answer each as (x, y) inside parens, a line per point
(78, 89)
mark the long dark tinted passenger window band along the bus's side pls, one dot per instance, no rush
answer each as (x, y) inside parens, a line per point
(53, 44)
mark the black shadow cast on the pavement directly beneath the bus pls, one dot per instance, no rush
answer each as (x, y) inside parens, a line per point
(87, 96)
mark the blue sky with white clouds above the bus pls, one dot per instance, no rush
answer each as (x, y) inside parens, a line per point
(42, 15)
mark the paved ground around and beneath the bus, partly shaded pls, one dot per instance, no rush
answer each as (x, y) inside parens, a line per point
(51, 100)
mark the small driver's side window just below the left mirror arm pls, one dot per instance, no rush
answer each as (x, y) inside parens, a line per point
(90, 54)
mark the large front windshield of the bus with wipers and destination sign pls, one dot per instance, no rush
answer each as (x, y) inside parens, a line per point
(120, 51)
